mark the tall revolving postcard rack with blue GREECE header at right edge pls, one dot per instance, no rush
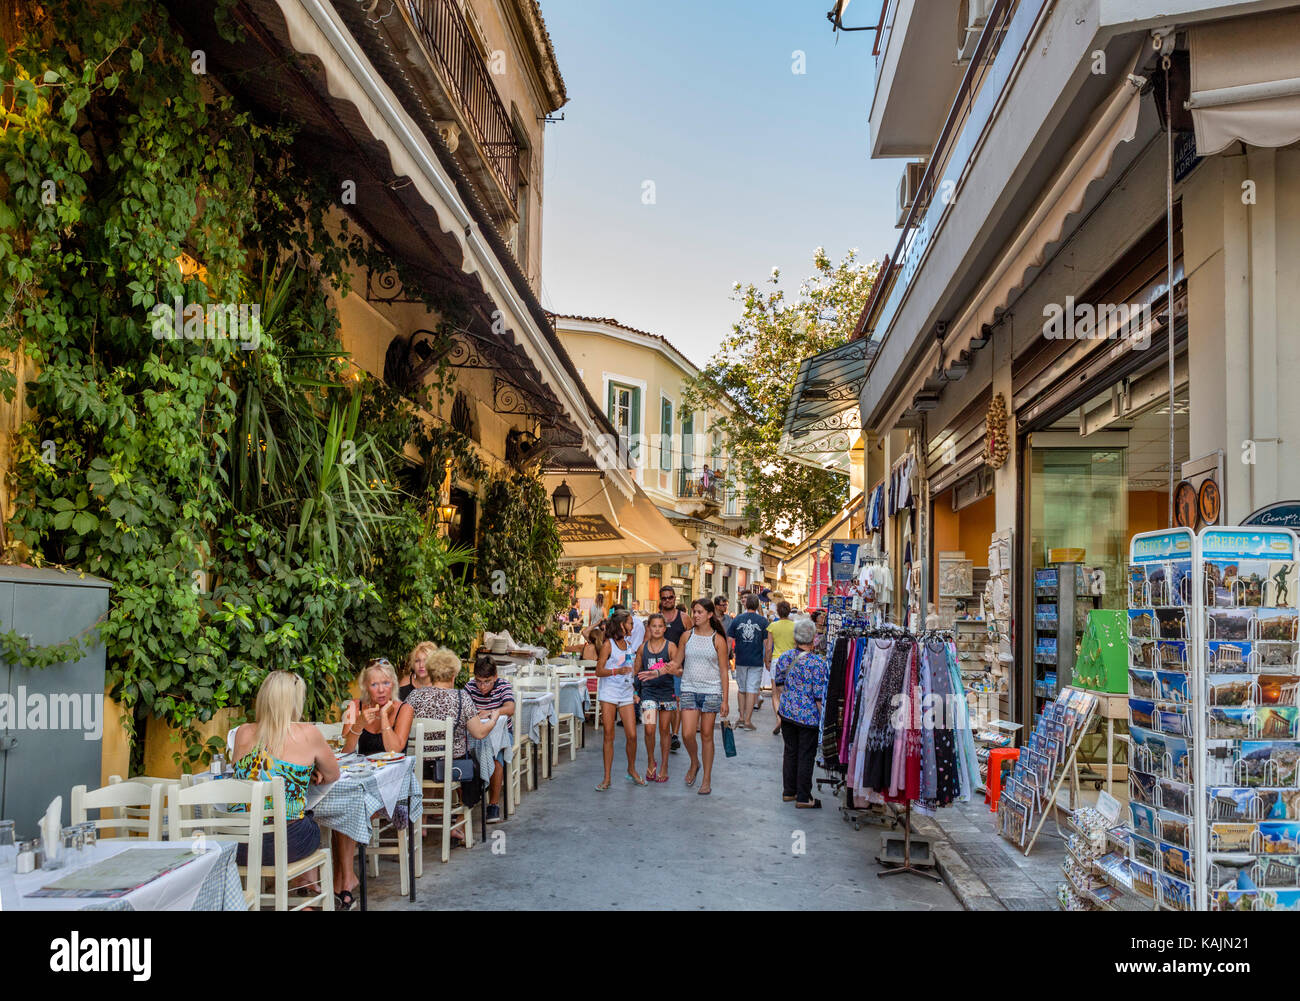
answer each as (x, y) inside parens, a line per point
(1215, 727)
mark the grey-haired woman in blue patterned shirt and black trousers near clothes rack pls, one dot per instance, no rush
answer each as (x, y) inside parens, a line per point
(804, 677)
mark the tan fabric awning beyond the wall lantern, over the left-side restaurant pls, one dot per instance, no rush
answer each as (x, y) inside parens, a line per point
(606, 527)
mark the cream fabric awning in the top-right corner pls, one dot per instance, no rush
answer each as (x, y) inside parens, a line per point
(1246, 81)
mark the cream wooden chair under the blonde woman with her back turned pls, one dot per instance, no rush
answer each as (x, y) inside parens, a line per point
(248, 827)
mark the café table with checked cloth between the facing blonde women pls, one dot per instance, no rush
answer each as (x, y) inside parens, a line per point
(348, 805)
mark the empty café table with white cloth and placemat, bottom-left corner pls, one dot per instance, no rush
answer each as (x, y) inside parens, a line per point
(211, 882)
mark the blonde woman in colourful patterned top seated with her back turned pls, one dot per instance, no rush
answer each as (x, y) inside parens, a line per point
(281, 744)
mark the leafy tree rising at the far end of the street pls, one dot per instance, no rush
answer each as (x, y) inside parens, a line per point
(752, 376)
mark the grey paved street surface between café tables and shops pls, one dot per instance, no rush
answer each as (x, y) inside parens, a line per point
(666, 848)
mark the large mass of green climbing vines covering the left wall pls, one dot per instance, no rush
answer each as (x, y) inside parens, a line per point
(246, 499)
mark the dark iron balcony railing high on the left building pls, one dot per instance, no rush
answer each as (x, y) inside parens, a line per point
(466, 77)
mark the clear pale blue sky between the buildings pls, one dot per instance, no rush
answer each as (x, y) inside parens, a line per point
(753, 164)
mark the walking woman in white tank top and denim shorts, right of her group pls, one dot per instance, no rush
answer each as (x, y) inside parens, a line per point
(703, 664)
